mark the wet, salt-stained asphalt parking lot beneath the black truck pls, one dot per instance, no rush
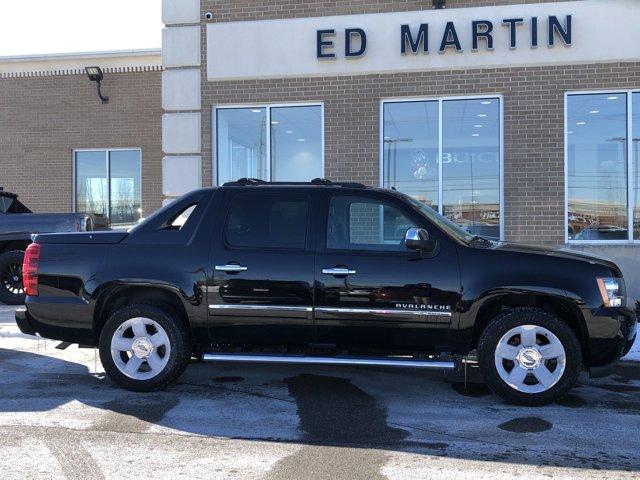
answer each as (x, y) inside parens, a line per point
(61, 418)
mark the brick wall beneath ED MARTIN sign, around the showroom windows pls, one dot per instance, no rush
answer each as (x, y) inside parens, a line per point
(533, 130)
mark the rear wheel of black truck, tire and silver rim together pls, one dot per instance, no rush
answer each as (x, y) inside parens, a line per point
(143, 347)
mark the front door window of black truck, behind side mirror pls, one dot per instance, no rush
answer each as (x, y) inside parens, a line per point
(365, 224)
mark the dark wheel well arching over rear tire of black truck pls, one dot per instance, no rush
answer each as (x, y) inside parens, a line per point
(118, 297)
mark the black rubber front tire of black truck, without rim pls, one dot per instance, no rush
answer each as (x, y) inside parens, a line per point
(510, 319)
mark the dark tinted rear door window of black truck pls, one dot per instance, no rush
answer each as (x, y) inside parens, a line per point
(268, 221)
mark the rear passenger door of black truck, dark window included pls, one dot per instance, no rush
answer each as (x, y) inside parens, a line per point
(261, 291)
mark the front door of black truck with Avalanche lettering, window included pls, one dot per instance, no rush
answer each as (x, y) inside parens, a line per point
(372, 292)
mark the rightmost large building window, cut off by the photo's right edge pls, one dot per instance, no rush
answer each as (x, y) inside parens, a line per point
(602, 161)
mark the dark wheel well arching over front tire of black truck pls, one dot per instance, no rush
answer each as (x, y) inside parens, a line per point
(562, 309)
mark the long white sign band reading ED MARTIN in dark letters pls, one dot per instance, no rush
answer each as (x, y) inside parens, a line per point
(558, 33)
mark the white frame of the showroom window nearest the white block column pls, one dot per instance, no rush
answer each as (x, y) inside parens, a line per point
(268, 107)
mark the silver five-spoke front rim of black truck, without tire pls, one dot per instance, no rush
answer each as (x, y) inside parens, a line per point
(530, 359)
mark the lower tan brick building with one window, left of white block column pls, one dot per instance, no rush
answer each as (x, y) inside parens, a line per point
(59, 143)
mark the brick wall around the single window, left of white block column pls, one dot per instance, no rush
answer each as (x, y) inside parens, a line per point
(42, 119)
